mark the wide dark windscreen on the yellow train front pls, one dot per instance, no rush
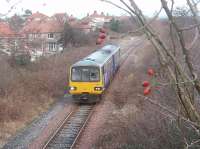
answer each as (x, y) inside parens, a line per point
(85, 74)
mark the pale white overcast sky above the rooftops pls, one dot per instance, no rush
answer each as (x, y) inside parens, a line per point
(78, 8)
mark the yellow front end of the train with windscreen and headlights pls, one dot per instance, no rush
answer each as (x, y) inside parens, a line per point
(85, 82)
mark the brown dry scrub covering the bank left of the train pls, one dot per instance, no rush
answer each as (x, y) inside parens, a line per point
(26, 92)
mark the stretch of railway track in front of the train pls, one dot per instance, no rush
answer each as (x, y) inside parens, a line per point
(66, 136)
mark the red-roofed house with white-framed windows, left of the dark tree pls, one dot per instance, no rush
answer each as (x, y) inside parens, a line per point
(43, 32)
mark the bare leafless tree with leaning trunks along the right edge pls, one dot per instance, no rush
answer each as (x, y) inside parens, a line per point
(176, 56)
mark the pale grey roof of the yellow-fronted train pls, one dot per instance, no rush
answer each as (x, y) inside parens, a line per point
(99, 57)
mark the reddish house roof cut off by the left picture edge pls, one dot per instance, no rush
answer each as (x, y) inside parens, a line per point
(5, 30)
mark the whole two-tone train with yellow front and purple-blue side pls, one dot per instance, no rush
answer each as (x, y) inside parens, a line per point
(91, 76)
